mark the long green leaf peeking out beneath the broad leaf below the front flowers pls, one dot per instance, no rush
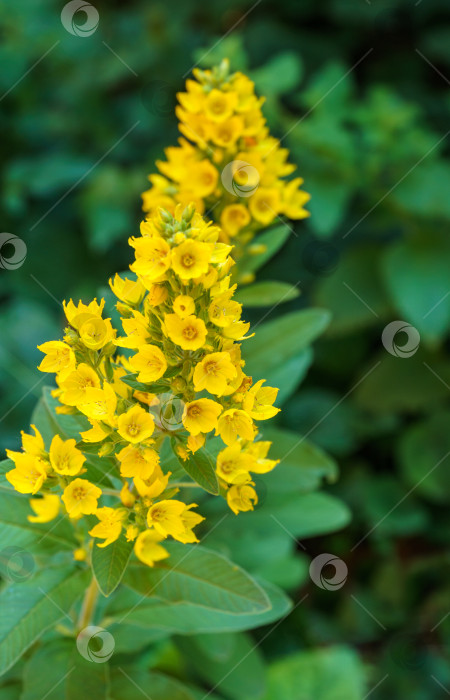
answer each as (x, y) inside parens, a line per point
(190, 618)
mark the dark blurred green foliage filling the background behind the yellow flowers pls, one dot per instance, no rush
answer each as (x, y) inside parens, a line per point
(357, 91)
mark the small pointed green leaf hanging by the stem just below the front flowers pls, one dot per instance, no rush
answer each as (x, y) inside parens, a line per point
(109, 564)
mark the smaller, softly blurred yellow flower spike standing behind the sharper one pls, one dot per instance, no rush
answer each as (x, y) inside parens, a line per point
(228, 163)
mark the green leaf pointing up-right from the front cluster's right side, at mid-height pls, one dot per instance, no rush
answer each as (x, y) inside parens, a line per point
(280, 344)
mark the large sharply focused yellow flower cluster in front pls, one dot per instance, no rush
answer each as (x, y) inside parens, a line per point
(181, 348)
